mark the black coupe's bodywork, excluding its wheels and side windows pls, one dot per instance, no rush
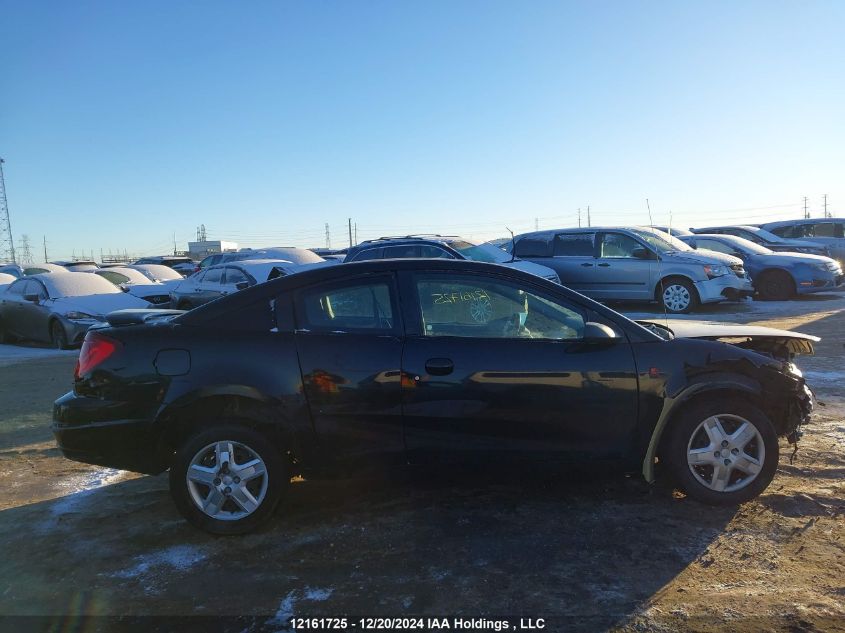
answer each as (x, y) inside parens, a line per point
(335, 399)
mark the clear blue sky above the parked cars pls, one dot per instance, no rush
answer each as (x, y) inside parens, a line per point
(124, 123)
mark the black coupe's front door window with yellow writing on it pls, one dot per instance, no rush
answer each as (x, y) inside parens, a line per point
(478, 306)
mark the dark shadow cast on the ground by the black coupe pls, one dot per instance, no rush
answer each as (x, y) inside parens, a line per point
(564, 544)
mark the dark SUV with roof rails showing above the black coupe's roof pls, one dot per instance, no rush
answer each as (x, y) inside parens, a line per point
(442, 247)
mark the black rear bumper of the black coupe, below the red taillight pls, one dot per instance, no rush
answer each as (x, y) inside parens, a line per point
(95, 431)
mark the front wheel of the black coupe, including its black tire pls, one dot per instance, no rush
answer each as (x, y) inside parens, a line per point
(722, 453)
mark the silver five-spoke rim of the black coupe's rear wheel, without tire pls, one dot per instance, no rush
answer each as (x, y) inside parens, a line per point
(227, 480)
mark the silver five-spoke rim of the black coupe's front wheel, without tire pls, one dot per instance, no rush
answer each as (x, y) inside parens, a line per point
(726, 453)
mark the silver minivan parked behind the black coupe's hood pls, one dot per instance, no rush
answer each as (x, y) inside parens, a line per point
(633, 264)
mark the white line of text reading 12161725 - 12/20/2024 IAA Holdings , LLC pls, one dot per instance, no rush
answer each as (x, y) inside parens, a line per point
(416, 624)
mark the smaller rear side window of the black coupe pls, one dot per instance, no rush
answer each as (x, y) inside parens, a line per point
(368, 306)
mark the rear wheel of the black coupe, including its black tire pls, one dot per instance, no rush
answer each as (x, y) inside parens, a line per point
(227, 479)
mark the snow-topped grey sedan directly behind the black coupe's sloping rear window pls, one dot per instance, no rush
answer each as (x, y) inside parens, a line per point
(224, 279)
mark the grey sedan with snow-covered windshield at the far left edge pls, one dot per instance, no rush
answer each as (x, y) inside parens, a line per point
(59, 309)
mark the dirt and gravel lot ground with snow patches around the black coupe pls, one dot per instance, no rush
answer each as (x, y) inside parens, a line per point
(588, 550)
